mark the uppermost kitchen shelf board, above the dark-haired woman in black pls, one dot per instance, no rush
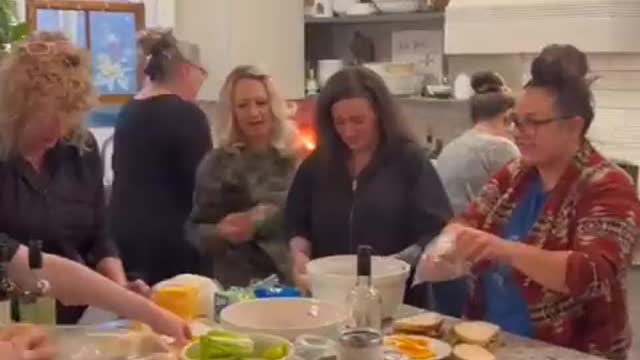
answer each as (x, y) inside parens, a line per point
(377, 18)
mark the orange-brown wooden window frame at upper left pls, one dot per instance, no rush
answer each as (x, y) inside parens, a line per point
(88, 6)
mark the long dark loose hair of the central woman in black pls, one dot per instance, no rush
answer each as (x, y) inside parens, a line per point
(357, 82)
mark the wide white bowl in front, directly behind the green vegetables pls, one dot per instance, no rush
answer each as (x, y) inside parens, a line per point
(285, 317)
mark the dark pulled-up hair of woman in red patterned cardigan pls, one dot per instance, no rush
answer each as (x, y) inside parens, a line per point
(567, 82)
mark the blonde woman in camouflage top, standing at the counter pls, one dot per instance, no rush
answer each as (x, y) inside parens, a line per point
(242, 184)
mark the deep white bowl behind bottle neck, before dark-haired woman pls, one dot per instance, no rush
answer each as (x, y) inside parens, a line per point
(333, 277)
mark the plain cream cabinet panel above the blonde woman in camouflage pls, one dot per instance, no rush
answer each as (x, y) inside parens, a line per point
(236, 32)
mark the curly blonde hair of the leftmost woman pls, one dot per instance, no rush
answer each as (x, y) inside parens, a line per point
(46, 73)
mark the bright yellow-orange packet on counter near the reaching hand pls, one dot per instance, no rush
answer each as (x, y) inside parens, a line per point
(181, 300)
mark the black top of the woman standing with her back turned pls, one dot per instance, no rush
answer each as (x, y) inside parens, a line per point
(158, 144)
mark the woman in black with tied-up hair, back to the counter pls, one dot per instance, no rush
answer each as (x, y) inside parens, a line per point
(159, 141)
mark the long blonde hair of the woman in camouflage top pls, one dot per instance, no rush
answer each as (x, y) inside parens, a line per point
(284, 137)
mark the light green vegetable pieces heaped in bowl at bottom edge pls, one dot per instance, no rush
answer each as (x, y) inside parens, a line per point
(225, 345)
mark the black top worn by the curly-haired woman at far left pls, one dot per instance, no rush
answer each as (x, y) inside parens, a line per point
(62, 205)
